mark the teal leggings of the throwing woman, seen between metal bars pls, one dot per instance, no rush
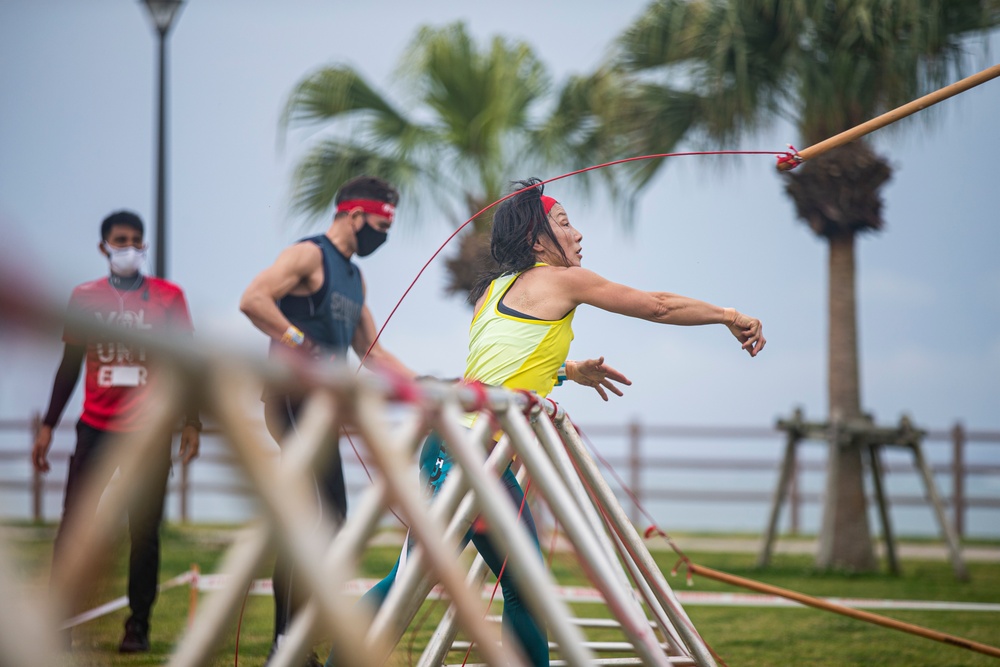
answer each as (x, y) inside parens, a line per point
(517, 619)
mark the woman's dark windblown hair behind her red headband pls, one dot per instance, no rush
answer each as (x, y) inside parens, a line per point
(517, 224)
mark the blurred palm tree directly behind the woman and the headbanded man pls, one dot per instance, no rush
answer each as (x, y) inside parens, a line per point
(469, 120)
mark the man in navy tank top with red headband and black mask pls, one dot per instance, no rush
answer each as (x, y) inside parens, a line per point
(312, 300)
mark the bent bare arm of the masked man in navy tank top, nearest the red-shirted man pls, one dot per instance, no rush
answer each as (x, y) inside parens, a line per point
(293, 269)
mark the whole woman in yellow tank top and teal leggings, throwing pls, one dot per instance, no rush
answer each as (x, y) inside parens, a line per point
(520, 337)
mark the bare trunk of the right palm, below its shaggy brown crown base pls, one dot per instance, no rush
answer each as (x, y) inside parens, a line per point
(845, 540)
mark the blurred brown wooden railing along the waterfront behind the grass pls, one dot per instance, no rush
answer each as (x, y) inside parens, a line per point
(641, 451)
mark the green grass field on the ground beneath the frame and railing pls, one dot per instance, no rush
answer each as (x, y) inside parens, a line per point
(740, 635)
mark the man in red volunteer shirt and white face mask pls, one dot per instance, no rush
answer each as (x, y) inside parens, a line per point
(117, 385)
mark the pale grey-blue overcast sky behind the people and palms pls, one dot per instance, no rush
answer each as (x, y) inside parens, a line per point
(77, 135)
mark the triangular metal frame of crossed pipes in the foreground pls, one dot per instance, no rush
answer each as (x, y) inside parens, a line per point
(539, 435)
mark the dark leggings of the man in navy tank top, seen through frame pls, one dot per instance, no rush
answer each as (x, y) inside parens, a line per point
(280, 417)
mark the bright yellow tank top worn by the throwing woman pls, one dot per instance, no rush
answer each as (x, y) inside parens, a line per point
(516, 352)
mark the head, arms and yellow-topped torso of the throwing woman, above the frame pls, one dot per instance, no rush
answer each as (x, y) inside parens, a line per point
(540, 282)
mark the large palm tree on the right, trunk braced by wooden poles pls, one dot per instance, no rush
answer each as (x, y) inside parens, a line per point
(827, 66)
